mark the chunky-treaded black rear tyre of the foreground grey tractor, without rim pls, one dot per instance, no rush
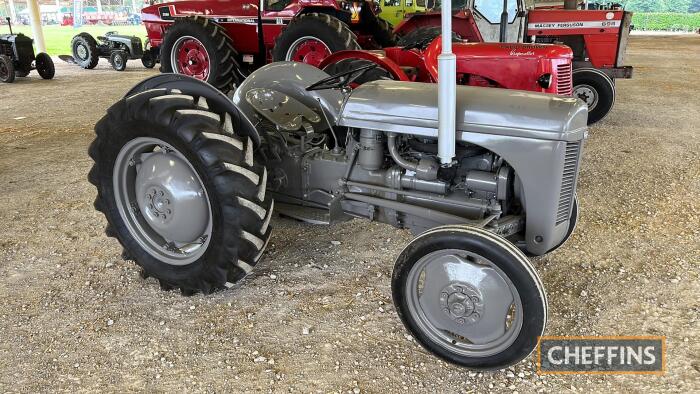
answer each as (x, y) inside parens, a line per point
(232, 179)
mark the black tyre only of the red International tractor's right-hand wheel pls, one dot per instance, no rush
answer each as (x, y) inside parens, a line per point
(330, 30)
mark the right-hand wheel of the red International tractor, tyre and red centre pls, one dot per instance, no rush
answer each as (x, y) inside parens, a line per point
(311, 37)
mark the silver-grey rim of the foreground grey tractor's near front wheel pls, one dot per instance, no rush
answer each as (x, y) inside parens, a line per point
(464, 303)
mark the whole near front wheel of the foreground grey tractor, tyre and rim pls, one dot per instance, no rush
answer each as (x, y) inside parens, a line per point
(470, 297)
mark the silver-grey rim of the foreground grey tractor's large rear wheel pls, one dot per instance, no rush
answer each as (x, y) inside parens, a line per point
(162, 201)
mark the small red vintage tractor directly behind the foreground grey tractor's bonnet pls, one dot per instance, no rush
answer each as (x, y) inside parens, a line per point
(534, 67)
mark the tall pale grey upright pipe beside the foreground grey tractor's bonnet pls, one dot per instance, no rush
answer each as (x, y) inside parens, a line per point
(447, 89)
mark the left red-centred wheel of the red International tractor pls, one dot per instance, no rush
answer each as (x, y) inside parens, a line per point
(199, 47)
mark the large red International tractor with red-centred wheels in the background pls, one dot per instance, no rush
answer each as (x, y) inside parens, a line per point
(221, 42)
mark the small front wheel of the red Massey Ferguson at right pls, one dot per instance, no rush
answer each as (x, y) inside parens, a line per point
(597, 90)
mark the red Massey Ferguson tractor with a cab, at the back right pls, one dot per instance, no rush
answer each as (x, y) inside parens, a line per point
(598, 39)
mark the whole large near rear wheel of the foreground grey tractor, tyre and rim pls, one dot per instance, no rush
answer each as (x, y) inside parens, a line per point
(181, 190)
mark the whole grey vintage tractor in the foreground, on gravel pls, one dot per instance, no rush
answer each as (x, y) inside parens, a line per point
(188, 180)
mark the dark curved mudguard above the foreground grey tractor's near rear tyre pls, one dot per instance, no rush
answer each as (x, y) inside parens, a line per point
(216, 100)
